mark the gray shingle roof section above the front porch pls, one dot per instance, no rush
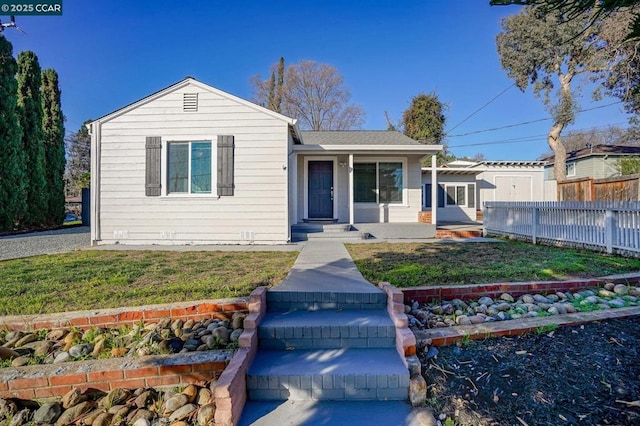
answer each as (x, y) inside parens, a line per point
(356, 137)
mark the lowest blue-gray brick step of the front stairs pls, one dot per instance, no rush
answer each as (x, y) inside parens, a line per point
(328, 374)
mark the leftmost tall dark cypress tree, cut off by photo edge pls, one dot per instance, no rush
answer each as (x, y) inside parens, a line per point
(12, 161)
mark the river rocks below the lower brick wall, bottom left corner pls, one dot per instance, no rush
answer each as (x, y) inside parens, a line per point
(189, 405)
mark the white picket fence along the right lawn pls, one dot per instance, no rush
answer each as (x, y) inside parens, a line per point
(605, 226)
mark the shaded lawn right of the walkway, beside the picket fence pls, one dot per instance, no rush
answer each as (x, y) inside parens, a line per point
(430, 264)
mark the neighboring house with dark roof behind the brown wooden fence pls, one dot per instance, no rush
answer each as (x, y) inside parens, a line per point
(597, 162)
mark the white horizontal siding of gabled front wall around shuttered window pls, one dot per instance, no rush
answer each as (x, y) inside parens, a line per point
(257, 212)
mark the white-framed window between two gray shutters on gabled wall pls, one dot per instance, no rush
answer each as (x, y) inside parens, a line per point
(189, 167)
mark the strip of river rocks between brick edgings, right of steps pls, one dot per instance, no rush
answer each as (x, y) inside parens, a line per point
(505, 307)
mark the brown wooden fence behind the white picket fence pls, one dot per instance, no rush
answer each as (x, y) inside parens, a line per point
(623, 188)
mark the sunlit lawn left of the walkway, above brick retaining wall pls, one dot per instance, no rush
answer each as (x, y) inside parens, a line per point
(107, 279)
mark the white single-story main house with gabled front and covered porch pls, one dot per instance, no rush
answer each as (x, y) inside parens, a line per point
(191, 164)
